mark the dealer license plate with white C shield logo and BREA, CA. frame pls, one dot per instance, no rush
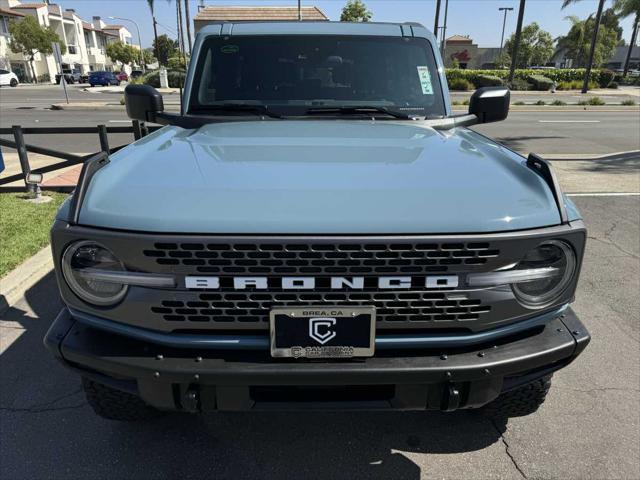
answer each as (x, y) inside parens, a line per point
(323, 332)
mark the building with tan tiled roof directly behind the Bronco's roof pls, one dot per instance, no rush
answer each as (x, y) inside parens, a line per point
(217, 14)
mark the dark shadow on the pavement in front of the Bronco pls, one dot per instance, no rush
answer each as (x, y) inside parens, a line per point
(49, 431)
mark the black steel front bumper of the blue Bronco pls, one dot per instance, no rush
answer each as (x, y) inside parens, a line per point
(183, 379)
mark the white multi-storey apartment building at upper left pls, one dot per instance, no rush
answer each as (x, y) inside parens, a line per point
(86, 41)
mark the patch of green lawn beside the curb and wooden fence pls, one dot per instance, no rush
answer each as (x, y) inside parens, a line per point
(24, 227)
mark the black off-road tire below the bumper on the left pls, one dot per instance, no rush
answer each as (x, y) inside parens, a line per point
(114, 404)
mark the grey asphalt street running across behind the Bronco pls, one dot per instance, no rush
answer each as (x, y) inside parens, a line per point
(551, 132)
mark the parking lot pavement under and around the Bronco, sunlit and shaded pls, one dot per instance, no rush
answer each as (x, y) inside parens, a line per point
(587, 429)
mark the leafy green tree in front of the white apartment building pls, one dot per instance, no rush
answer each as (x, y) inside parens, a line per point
(29, 39)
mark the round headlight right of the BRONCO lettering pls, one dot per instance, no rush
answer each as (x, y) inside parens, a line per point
(543, 292)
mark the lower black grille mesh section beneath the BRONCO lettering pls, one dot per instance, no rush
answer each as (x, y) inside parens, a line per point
(391, 307)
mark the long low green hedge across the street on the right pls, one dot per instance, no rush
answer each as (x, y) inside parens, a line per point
(602, 77)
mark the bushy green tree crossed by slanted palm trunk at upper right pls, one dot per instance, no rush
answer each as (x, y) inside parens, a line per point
(577, 42)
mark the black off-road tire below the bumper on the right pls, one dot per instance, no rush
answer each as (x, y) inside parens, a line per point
(519, 402)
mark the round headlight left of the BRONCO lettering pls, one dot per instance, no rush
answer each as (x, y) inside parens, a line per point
(79, 260)
